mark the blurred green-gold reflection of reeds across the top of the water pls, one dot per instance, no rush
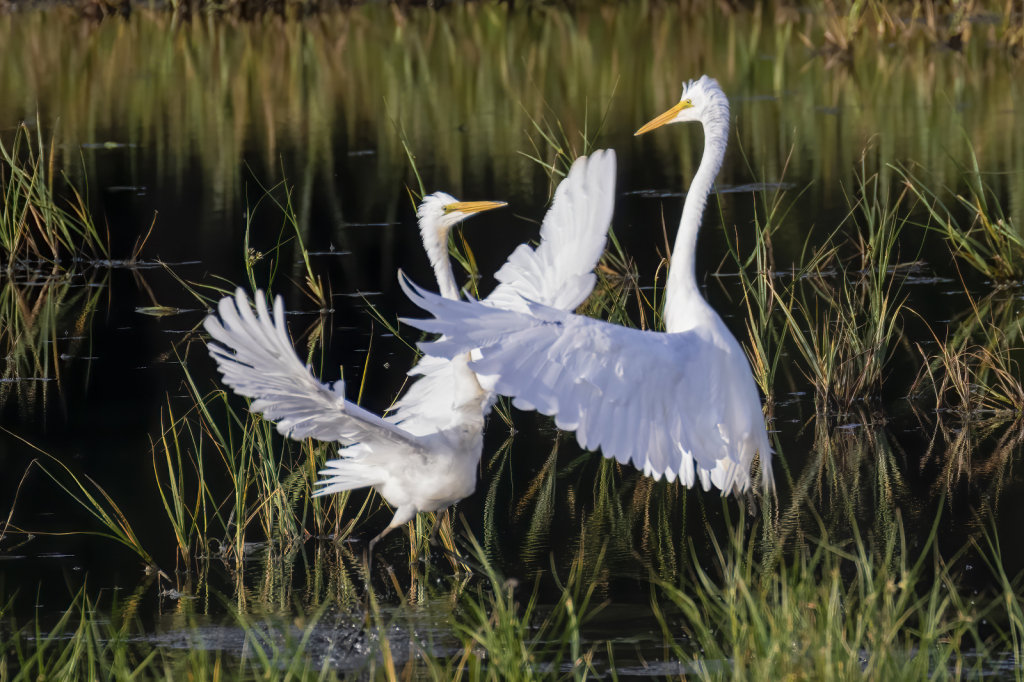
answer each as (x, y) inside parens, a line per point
(464, 87)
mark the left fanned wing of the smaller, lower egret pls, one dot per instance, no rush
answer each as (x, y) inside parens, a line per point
(265, 366)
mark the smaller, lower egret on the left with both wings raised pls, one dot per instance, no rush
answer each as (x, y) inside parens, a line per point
(423, 457)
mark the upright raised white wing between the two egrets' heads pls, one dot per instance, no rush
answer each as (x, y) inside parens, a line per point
(560, 273)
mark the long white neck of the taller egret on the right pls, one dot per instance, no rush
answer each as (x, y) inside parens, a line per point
(682, 293)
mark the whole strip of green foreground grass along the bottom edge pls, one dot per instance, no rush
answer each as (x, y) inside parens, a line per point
(837, 610)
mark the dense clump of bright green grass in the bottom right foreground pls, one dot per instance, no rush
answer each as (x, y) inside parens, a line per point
(836, 612)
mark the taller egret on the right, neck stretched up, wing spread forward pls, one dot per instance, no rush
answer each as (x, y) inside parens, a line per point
(680, 404)
